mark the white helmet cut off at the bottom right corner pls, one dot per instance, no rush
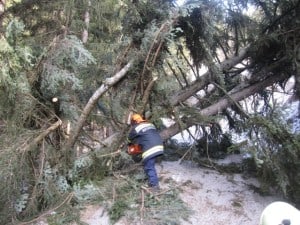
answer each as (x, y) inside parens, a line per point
(280, 213)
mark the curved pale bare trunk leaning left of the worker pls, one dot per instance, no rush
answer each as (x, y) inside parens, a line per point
(109, 82)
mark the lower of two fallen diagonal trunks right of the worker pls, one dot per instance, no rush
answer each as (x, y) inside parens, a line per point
(224, 103)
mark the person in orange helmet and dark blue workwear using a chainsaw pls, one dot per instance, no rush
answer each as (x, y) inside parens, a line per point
(145, 135)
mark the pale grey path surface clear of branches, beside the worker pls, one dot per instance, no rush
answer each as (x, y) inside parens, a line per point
(215, 198)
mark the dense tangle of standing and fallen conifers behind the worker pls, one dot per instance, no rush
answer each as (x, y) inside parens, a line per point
(73, 70)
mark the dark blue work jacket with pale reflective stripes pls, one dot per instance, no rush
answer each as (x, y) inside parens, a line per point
(146, 135)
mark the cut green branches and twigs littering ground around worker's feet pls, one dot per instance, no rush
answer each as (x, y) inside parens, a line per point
(125, 196)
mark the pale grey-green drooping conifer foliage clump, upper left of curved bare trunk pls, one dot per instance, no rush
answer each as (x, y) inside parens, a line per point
(63, 64)
